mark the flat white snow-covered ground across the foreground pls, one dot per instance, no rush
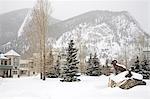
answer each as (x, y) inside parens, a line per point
(52, 88)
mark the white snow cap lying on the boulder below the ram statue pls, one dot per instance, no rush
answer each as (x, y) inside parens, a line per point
(121, 76)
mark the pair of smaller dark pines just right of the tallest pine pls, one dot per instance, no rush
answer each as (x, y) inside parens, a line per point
(93, 66)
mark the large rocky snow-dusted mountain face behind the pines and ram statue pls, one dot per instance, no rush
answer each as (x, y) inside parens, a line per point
(113, 35)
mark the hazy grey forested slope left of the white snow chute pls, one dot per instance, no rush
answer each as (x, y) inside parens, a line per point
(10, 23)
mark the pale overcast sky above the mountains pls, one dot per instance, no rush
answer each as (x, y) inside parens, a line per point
(63, 9)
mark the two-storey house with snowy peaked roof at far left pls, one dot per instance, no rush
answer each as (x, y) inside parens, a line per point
(9, 64)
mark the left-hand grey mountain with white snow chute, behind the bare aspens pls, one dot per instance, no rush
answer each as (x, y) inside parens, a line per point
(17, 40)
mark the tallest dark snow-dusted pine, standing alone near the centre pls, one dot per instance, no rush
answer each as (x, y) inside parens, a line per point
(70, 70)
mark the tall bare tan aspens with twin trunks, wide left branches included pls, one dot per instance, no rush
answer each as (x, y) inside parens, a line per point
(36, 30)
